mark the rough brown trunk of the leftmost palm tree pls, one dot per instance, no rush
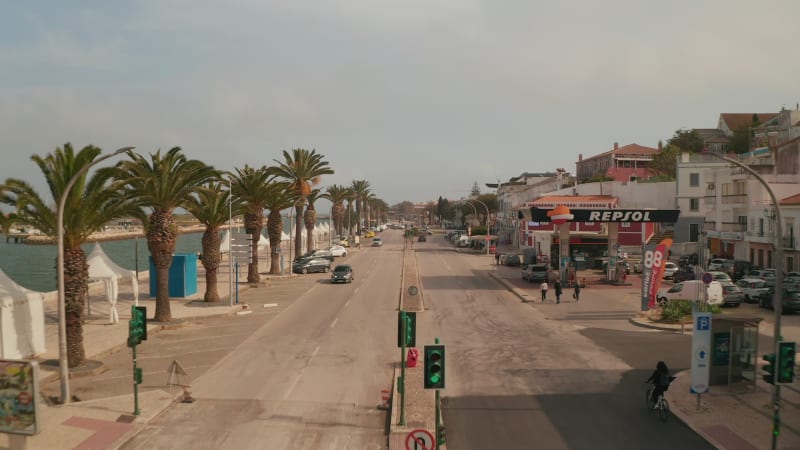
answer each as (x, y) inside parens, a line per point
(76, 277)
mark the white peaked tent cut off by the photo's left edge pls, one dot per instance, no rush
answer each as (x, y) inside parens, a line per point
(21, 320)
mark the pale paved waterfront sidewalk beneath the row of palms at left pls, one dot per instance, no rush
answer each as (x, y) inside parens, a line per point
(105, 422)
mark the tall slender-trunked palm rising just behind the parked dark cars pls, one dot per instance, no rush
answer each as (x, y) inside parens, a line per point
(302, 169)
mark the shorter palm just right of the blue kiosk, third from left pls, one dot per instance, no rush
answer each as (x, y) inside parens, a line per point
(213, 205)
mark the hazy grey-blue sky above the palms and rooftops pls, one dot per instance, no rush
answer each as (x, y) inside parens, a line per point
(420, 98)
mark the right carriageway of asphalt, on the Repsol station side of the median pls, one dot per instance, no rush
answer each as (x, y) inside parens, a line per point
(522, 376)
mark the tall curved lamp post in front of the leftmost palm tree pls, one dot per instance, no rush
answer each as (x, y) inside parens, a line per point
(62, 322)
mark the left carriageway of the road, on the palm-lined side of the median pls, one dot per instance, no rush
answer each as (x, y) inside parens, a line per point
(308, 378)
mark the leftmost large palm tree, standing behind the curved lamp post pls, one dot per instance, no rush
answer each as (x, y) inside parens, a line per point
(90, 205)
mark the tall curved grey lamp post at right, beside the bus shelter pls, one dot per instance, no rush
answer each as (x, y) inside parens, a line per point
(777, 300)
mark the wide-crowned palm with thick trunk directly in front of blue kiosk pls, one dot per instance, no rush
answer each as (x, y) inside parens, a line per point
(162, 184)
